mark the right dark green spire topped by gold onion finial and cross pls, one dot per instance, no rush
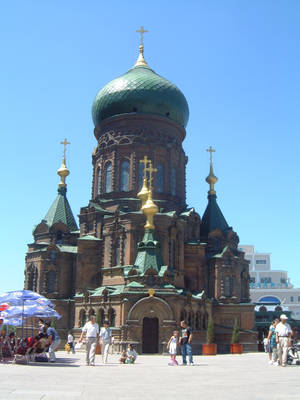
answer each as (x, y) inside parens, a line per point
(212, 217)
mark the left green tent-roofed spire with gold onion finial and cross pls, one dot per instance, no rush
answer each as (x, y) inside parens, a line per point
(60, 210)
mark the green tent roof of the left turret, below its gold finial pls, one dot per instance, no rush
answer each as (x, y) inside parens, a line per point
(60, 211)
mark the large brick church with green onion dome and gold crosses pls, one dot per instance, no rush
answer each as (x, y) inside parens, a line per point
(138, 256)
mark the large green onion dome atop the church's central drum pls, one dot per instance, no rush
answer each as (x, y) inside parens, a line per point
(140, 90)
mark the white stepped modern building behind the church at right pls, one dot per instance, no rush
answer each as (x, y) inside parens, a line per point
(270, 286)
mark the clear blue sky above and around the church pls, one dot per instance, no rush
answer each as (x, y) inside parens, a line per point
(238, 64)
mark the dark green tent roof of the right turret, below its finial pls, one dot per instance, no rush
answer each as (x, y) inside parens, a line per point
(213, 218)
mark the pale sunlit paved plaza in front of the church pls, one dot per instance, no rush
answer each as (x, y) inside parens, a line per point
(223, 377)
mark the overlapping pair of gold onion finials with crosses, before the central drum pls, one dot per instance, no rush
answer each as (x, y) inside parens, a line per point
(149, 208)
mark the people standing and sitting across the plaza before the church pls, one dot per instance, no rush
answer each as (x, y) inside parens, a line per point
(278, 344)
